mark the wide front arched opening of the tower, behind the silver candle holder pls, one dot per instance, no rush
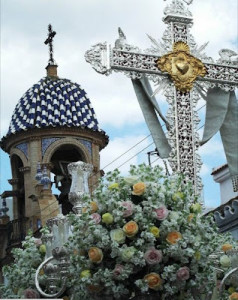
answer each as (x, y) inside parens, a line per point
(60, 159)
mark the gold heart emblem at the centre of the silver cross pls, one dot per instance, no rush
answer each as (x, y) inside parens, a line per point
(181, 66)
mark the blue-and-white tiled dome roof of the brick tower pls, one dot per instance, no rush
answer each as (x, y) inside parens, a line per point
(53, 102)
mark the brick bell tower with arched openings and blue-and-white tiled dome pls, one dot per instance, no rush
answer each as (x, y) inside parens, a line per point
(53, 124)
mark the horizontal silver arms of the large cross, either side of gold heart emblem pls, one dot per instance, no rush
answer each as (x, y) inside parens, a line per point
(105, 59)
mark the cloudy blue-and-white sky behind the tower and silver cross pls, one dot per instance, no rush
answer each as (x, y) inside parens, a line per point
(79, 25)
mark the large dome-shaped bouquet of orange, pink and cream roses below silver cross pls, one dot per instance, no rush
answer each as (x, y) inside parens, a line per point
(143, 235)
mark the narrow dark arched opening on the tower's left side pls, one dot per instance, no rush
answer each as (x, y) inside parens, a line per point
(17, 164)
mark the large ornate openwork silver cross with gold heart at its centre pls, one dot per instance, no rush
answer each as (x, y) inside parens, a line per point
(179, 58)
